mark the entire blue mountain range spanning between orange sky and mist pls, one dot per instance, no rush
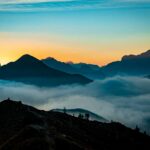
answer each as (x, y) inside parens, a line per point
(51, 72)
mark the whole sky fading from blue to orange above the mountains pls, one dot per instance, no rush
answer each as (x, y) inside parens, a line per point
(92, 31)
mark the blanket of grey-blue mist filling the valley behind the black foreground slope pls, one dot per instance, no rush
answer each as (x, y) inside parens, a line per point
(123, 99)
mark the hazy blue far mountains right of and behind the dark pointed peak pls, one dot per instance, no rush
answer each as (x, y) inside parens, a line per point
(134, 65)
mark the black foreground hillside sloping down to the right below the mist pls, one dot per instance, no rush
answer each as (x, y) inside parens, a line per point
(23, 127)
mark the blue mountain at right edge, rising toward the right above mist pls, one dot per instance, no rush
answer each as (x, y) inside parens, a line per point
(129, 65)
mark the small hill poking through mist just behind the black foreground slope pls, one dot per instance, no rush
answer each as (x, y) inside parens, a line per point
(75, 112)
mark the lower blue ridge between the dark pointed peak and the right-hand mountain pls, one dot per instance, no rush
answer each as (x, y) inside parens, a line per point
(88, 70)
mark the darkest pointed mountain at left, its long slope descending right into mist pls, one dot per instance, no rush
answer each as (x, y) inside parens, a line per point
(30, 70)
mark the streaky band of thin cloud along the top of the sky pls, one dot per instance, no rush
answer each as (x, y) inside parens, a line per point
(51, 5)
